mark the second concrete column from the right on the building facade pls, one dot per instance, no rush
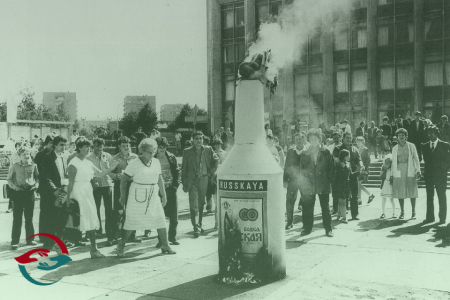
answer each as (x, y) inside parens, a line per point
(372, 78)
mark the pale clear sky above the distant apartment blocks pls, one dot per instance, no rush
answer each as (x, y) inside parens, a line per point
(104, 50)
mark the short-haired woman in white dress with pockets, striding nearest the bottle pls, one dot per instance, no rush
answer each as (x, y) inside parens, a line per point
(144, 206)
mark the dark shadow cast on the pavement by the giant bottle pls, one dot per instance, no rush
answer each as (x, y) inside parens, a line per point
(202, 288)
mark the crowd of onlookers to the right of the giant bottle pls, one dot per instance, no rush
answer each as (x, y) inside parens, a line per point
(323, 162)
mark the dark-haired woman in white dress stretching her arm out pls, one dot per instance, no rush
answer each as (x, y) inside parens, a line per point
(80, 173)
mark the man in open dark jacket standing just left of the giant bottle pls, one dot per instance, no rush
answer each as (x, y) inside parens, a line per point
(199, 165)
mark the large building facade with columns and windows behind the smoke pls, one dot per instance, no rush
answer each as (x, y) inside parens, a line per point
(383, 58)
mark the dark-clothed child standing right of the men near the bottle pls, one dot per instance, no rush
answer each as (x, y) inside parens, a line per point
(341, 184)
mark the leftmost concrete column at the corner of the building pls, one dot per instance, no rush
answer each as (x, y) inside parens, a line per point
(214, 65)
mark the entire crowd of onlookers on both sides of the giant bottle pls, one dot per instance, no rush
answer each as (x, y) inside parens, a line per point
(139, 190)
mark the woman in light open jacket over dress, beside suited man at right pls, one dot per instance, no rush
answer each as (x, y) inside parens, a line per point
(405, 172)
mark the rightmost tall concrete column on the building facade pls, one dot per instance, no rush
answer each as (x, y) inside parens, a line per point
(418, 55)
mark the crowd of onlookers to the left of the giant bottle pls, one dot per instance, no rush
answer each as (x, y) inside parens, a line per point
(138, 190)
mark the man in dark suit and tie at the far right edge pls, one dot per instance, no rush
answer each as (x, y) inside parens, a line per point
(436, 155)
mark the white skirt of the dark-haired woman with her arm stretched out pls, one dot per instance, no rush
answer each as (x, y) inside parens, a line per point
(82, 192)
